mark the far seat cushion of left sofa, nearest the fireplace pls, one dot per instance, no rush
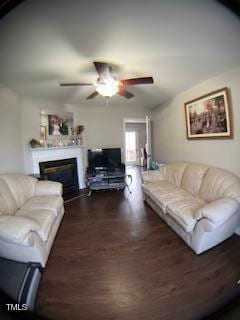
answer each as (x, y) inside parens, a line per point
(52, 203)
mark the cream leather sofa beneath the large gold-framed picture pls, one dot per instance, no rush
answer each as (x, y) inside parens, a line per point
(201, 203)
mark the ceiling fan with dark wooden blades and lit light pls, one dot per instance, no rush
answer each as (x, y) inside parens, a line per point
(108, 85)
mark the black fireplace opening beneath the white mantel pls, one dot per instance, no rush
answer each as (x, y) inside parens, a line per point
(64, 171)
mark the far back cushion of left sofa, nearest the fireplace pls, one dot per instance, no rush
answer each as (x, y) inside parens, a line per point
(22, 187)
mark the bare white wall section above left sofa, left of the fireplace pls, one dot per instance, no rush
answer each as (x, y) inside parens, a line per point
(11, 155)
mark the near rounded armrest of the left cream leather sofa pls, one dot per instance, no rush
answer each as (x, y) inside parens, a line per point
(17, 229)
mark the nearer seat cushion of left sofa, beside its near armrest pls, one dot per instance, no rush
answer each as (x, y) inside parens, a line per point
(44, 218)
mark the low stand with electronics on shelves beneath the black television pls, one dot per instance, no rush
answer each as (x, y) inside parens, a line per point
(107, 179)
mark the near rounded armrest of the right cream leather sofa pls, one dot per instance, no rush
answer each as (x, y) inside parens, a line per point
(219, 211)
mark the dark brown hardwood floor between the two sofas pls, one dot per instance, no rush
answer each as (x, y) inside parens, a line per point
(114, 258)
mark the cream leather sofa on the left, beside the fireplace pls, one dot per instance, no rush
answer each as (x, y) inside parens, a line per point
(30, 215)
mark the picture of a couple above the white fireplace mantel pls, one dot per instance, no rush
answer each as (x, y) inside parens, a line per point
(56, 124)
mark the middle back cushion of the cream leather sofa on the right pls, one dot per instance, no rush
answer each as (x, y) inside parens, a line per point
(192, 178)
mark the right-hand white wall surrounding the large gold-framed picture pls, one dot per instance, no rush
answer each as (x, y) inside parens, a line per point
(169, 131)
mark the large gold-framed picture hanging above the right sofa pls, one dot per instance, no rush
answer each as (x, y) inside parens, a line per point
(209, 116)
